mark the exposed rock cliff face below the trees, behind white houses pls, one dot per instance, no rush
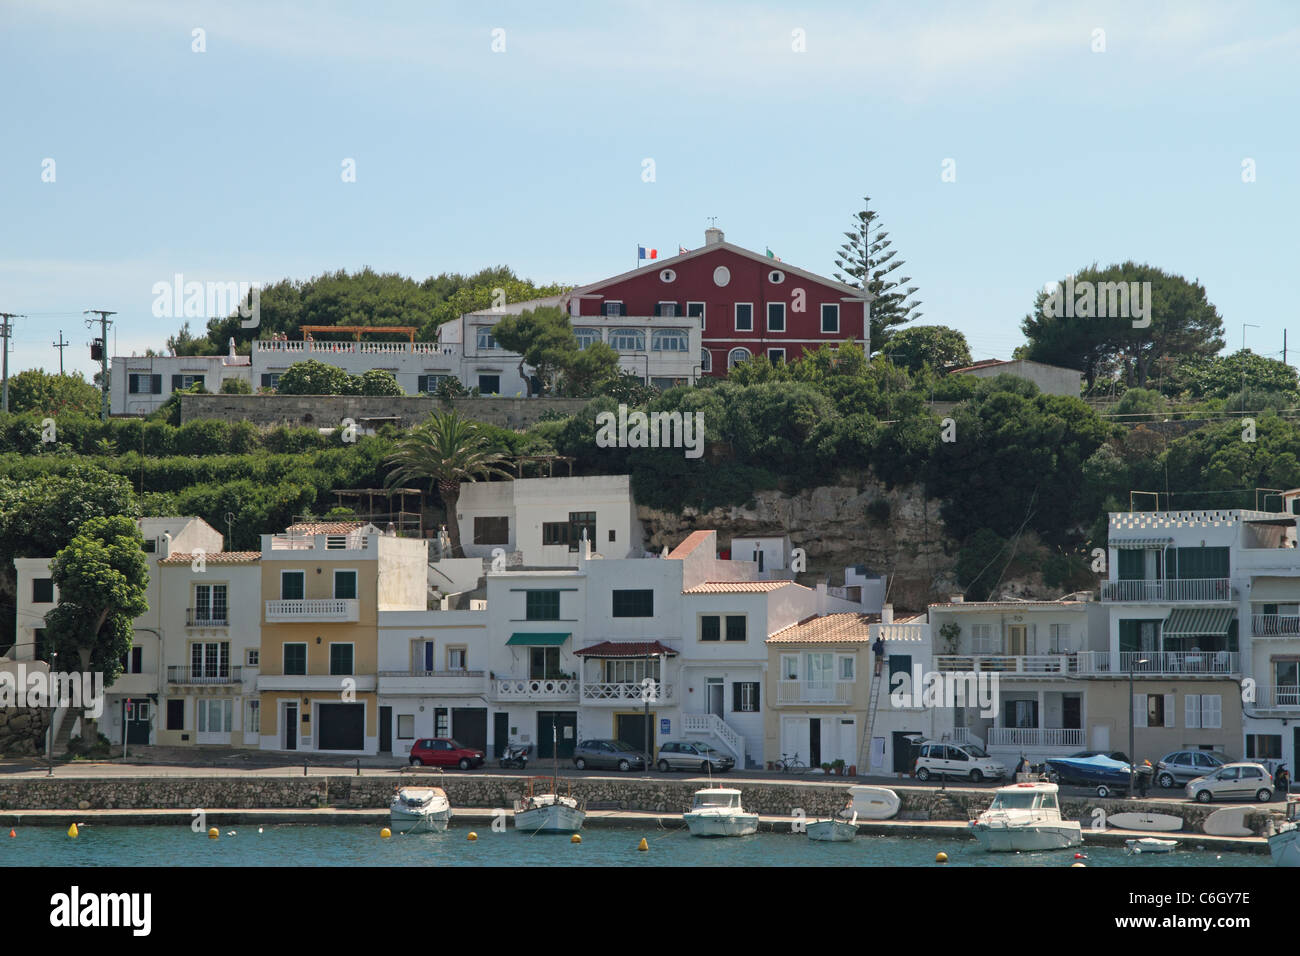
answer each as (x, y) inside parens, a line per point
(898, 533)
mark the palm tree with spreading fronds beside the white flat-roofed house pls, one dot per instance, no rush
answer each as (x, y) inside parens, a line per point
(447, 451)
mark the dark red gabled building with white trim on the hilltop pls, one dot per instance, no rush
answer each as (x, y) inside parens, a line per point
(748, 304)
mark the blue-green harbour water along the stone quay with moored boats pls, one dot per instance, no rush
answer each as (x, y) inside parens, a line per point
(345, 846)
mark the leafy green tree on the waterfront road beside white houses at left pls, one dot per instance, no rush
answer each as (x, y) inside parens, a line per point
(102, 579)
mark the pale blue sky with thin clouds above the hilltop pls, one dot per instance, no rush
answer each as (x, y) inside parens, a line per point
(227, 165)
